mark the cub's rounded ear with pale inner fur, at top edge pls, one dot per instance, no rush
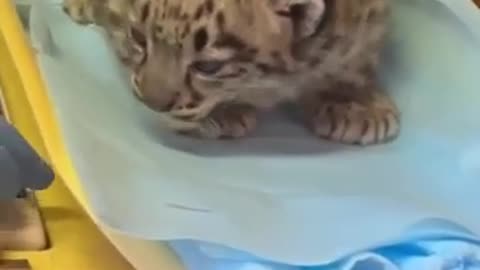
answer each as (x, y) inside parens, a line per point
(306, 15)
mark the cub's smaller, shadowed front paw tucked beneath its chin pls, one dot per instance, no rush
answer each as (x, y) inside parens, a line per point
(228, 122)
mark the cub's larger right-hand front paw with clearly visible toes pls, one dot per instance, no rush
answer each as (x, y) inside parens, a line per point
(366, 121)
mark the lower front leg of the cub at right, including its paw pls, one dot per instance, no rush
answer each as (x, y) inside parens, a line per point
(352, 114)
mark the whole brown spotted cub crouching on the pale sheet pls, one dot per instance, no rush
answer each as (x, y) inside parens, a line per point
(209, 65)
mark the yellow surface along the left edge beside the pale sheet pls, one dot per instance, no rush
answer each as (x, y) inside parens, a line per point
(76, 242)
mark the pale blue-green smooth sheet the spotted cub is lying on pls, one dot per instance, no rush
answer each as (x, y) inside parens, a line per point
(281, 194)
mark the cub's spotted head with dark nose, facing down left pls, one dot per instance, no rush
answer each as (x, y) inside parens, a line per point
(203, 52)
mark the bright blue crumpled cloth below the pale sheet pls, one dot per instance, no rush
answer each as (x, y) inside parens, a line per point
(435, 254)
